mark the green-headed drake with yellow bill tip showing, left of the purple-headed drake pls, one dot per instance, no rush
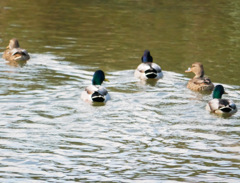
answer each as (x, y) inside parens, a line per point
(96, 92)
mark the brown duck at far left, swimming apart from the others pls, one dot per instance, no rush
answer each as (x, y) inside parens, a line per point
(14, 52)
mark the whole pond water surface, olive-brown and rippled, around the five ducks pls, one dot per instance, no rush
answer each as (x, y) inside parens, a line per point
(147, 132)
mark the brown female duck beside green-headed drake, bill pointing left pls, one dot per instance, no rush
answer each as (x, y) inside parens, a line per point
(199, 82)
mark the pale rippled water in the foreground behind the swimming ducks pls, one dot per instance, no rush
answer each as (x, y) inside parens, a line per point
(145, 133)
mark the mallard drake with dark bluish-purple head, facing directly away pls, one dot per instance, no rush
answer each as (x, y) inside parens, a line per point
(147, 69)
